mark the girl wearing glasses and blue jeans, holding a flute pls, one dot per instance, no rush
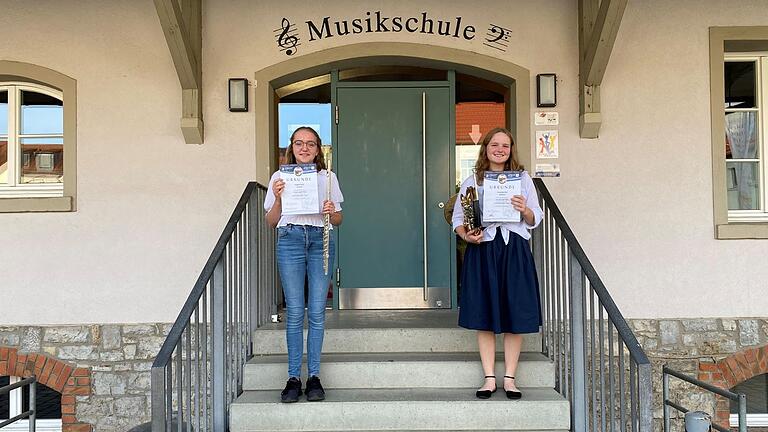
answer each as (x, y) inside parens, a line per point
(300, 255)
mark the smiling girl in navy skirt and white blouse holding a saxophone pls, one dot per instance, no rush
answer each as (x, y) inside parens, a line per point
(499, 286)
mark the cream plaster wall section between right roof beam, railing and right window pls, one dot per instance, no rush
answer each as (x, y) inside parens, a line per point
(640, 197)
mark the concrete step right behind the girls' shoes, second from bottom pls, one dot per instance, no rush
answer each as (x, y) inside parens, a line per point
(398, 370)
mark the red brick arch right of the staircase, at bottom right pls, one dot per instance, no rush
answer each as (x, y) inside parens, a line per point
(731, 371)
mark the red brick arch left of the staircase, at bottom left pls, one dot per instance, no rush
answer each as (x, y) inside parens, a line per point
(66, 379)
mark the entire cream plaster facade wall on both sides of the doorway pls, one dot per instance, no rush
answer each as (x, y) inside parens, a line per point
(150, 207)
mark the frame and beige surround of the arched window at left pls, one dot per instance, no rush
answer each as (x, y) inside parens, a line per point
(38, 77)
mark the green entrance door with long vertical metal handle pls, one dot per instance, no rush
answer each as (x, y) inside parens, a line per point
(393, 158)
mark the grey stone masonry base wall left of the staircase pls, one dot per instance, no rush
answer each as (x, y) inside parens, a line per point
(118, 358)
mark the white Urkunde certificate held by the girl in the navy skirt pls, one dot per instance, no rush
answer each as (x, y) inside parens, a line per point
(498, 189)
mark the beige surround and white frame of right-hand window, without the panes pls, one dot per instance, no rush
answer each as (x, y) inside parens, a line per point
(735, 224)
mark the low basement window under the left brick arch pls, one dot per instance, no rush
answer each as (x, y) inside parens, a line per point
(17, 402)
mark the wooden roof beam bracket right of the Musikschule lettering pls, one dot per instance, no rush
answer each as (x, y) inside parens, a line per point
(599, 23)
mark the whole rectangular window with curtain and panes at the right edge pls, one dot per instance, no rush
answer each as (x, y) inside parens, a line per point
(739, 94)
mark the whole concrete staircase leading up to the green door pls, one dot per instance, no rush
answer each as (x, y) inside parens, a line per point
(397, 371)
